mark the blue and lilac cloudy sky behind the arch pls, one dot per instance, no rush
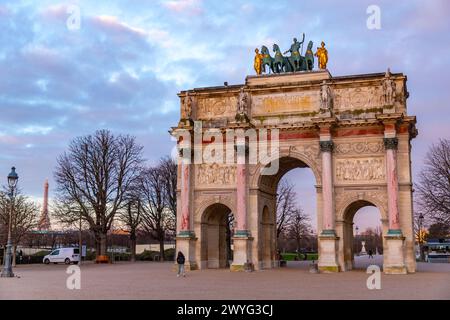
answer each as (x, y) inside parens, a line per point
(121, 69)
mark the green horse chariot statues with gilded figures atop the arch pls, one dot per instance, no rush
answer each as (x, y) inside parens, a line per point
(295, 62)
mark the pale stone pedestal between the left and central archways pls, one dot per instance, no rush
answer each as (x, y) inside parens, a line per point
(242, 252)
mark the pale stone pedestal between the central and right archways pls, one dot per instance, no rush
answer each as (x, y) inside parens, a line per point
(328, 250)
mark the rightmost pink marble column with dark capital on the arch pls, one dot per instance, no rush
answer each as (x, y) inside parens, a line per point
(392, 182)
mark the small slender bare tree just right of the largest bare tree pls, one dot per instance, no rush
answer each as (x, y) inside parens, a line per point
(131, 217)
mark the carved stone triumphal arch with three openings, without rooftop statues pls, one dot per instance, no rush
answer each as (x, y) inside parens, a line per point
(353, 132)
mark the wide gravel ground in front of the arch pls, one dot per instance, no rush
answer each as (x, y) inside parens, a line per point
(153, 280)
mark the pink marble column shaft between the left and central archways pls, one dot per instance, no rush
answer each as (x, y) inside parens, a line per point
(241, 175)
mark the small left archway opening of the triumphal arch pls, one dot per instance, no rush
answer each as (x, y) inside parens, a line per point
(217, 231)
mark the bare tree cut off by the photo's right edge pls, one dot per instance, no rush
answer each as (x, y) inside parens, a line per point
(433, 188)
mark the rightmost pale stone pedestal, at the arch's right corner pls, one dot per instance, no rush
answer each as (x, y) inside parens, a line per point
(394, 258)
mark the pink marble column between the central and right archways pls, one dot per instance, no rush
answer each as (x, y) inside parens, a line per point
(327, 185)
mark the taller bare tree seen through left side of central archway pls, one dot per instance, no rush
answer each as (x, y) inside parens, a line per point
(285, 205)
